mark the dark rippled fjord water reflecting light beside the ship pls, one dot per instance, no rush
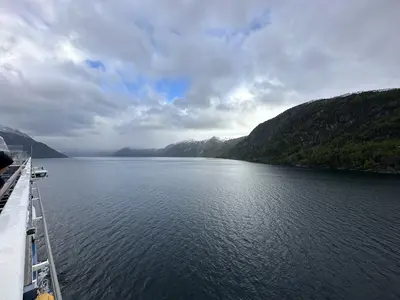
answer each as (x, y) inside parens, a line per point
(192, 228)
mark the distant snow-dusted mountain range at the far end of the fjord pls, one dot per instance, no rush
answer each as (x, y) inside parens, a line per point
(207, 148)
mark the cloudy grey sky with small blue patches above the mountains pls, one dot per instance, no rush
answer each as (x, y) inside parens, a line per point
(100, 74)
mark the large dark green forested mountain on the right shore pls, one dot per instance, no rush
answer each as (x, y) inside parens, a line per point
(359, 131)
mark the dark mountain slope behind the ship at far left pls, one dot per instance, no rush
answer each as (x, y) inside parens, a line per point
(15, 137)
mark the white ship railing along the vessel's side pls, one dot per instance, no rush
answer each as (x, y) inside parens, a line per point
(15, 221)
